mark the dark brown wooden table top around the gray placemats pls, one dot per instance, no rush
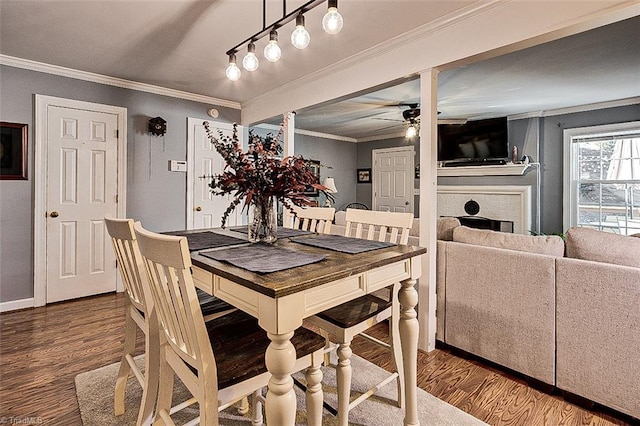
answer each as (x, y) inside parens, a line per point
(335, 266)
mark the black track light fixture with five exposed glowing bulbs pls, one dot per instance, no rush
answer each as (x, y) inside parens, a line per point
(300, 38)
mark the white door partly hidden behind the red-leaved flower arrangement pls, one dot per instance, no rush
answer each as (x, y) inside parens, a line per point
(205, 210)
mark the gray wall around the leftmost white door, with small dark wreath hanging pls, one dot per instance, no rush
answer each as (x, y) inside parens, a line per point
(155, 196)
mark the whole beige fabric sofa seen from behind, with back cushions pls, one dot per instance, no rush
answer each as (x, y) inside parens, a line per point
(571, 321)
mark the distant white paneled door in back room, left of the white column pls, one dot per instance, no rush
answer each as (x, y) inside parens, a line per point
(393, 179)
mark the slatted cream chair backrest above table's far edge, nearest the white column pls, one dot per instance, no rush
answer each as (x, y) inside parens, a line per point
(376, 225)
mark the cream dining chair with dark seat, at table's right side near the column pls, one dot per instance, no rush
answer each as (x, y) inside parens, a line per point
(352, 318)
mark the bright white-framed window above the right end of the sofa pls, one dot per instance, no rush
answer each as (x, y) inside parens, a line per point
(602, 178)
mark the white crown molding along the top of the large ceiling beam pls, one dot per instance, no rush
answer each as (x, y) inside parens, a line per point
(390, 45)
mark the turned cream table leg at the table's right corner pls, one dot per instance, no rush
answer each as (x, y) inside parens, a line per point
(408, 326)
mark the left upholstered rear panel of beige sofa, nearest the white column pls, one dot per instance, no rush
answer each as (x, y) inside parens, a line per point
(500, 305)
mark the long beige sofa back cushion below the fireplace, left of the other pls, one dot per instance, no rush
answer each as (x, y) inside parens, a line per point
(551, 245)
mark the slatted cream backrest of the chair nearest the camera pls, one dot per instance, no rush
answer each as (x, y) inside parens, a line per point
(168, 264)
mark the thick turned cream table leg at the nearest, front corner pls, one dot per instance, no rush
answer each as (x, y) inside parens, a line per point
(280, 359)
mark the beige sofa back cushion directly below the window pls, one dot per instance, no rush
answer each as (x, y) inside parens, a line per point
(600, 246)
